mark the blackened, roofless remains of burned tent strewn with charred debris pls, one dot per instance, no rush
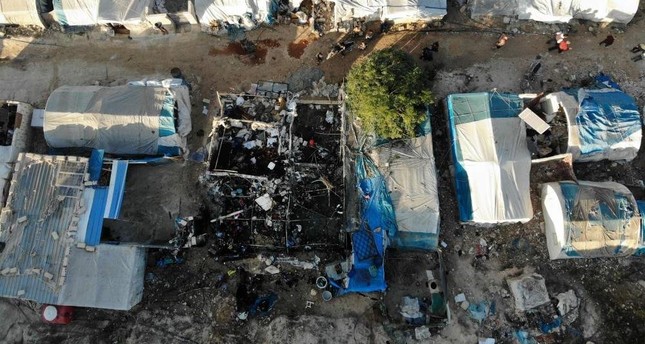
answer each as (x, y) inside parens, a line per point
(275, 178)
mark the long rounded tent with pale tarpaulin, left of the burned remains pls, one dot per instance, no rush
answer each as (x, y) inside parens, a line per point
(128, 119)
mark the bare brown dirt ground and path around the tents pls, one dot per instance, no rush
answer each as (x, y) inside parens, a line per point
(195, 302)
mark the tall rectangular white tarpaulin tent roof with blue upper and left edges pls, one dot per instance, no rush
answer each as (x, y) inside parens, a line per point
(491, 159)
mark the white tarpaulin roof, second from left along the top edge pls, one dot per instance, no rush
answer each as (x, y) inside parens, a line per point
(94, 12)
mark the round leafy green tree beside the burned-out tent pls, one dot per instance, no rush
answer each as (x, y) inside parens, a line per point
(389, 93)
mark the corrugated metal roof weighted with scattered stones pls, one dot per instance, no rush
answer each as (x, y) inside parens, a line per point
(39, 225)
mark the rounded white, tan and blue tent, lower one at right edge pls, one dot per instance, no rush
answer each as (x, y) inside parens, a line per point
(589, 219)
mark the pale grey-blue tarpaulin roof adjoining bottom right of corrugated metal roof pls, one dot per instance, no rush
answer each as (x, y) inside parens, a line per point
(110, 277)
